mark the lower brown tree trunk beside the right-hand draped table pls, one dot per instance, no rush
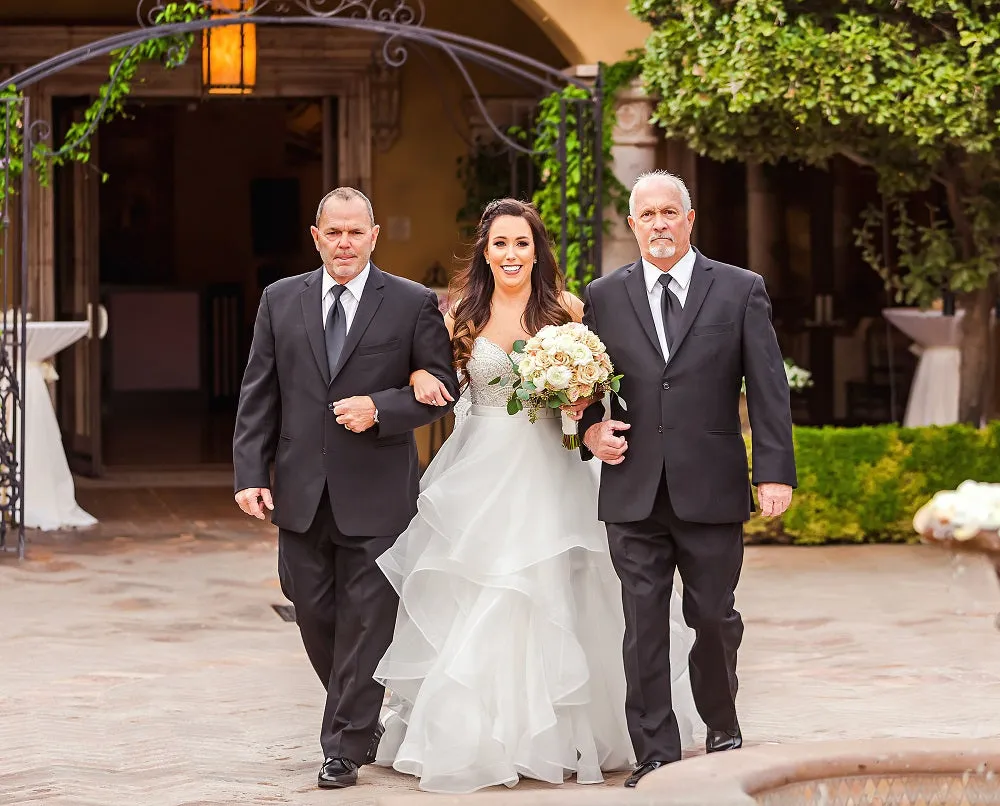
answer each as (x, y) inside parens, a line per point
(977, 355)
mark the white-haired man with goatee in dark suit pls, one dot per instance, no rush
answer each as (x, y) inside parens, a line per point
(684, 330)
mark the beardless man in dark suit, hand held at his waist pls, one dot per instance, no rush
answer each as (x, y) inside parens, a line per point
(326, 397)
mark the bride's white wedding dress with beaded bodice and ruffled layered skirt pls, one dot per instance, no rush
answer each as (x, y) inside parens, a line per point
(507, 654)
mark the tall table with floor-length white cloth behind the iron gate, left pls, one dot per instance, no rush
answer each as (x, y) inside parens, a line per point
(49, 493)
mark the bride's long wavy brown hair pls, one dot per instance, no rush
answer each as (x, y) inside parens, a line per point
(474, 285)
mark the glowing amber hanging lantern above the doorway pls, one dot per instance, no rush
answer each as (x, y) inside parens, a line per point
(229, 52)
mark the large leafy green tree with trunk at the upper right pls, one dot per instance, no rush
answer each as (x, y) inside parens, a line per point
(909, 88)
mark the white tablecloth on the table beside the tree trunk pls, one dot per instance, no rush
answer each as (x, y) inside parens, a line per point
(934, 394)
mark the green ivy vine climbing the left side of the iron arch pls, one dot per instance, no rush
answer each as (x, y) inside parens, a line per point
(170, 51)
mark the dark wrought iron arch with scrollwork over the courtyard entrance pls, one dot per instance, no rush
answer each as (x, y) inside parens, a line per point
(399, 22)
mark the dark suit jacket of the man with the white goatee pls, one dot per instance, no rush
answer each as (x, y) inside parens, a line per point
(684, 414)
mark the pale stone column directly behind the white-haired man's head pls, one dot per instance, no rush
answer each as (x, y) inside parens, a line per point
(633, 153)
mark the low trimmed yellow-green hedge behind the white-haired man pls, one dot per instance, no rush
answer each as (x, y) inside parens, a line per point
(865, 484)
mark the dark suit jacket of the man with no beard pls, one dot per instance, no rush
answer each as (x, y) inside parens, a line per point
(286, 414)
